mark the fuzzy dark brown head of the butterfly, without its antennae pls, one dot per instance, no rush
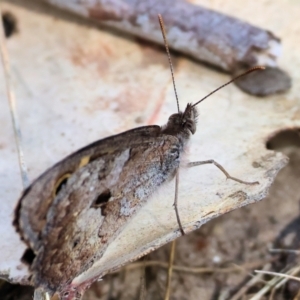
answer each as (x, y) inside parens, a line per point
(182, 124)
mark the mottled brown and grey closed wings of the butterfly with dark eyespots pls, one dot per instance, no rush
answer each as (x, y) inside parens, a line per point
(70, 214)
